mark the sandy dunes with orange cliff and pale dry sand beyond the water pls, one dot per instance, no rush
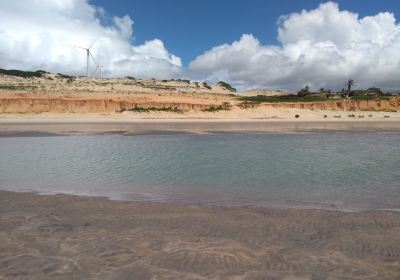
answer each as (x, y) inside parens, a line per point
(55, 94)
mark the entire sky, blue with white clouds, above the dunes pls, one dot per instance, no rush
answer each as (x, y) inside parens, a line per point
(250, 44)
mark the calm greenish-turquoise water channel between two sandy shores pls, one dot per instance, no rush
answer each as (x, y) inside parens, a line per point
(344, 170)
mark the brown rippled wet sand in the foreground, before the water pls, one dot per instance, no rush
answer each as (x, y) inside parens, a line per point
(71, 237)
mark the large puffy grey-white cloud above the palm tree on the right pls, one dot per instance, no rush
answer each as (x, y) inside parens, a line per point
(321, 47)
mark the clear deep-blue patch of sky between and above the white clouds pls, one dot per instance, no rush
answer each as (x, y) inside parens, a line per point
(189, 27)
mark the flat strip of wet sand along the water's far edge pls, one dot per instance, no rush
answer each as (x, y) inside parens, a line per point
(43, 127)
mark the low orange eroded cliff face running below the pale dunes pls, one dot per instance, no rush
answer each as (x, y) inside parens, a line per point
(50, 103)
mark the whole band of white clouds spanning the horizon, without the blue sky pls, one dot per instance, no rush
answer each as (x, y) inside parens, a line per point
(321, 48)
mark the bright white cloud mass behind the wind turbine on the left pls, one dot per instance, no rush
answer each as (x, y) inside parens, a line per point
(38, 34)
